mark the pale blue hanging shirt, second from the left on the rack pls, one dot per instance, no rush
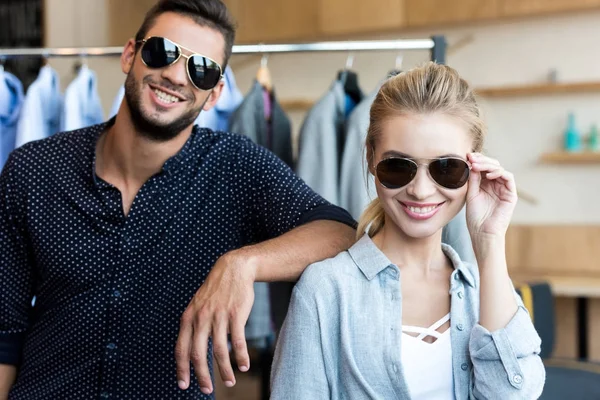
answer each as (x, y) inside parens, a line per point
(41, 115)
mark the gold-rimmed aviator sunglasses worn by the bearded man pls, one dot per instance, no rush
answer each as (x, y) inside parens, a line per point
(159, 52)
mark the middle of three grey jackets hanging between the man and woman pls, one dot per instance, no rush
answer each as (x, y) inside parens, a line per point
(320, 136)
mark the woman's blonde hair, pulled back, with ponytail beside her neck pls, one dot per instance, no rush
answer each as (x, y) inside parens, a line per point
(429, 88)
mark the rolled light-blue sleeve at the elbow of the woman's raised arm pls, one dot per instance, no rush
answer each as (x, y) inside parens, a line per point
(507, 362)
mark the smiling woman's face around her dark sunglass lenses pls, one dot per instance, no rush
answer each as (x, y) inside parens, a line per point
(422, 207)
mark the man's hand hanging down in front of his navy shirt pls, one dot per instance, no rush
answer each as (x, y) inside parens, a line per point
(222, 305)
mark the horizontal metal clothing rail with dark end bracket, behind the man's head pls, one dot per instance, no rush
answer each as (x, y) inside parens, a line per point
(436, 45)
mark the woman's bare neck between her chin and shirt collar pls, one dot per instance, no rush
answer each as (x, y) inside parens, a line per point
(406, 252)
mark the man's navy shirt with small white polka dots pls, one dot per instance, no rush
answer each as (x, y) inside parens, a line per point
(110, 289)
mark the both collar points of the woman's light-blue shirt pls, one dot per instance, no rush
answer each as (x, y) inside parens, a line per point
(371, 260)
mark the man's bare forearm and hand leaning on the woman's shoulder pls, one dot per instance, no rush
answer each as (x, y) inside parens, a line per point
(223, 302)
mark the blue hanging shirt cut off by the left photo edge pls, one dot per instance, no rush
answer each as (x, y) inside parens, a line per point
(11, 101)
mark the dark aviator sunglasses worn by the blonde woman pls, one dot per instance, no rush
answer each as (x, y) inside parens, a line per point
(448, 172)
